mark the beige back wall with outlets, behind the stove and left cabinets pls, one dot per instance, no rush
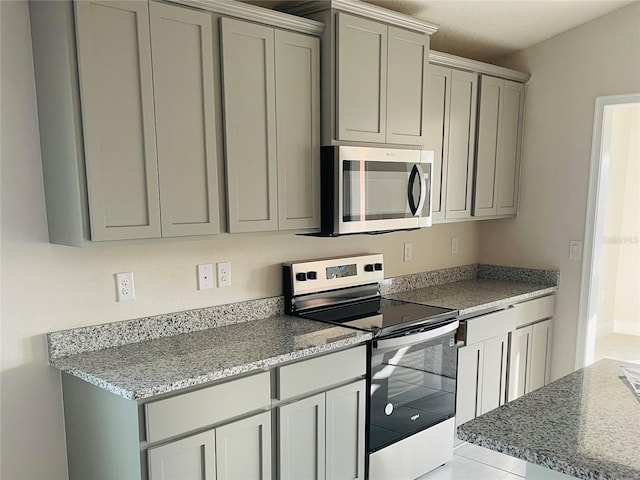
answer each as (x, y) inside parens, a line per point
(48, 287)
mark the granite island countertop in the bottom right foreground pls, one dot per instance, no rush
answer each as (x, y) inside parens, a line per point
(586, 425)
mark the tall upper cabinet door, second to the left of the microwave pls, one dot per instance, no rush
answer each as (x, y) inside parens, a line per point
(250, 125)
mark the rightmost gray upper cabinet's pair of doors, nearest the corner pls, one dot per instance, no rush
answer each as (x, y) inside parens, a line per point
(500, 125)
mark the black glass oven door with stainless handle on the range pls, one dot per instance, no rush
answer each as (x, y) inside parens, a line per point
(413, 384)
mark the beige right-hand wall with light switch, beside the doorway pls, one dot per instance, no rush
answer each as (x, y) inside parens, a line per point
(568, 72)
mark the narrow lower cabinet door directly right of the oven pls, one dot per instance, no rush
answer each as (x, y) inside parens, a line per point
(469, 382)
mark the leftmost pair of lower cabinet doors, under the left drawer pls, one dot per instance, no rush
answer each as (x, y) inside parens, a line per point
(239, 450)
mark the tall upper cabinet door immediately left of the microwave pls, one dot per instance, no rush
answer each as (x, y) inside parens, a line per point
(297, 70)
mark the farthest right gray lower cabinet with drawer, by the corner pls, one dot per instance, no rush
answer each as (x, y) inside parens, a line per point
(530, 347)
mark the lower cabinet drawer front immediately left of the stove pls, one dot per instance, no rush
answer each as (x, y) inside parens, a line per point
(316, 373)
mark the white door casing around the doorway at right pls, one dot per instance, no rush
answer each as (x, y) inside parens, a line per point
(587, 313)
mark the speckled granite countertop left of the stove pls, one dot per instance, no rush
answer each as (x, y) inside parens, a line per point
(161, 365)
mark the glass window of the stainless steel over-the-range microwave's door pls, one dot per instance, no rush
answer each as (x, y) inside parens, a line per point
(376, 190)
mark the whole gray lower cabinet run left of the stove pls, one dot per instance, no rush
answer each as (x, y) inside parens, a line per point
(231, 429)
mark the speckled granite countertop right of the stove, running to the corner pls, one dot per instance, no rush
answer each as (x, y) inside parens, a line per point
(472, 296)
